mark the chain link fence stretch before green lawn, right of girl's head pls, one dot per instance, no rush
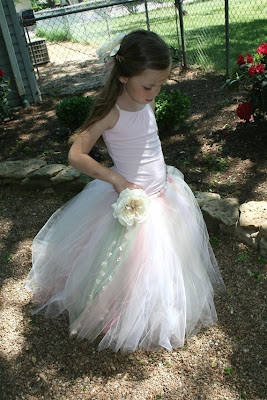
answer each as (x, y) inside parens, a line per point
(205, 30)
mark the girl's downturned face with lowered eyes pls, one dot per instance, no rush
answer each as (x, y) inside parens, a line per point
(143, 88)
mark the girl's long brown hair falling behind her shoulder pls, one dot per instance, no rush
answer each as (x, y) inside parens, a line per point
(139, 51)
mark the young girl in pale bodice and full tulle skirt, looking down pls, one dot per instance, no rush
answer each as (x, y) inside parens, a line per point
(139, 283)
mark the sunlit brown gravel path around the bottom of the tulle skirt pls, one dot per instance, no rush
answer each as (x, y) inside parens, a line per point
(40, 361)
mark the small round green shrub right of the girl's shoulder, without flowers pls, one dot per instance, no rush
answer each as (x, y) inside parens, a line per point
(172, 108)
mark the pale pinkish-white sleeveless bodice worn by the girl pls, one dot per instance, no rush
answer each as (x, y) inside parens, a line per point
(135, 149)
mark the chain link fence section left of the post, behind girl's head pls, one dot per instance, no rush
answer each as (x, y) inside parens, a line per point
(67, 39)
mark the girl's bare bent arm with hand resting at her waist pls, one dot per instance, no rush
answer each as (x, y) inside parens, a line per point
(79, 158)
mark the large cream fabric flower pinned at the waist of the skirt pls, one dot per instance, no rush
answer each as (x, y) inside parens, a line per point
(131, 207)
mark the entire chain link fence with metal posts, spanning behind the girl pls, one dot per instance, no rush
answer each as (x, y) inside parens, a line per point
(204, 33)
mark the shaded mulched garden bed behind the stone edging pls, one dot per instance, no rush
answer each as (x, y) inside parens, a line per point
(216, 151)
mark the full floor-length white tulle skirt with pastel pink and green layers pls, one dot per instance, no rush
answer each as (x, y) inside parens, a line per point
(147, 287)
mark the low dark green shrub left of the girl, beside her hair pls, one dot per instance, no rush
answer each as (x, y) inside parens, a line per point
(73, 111)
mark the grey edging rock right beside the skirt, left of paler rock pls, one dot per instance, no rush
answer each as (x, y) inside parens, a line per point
(221, 214)
